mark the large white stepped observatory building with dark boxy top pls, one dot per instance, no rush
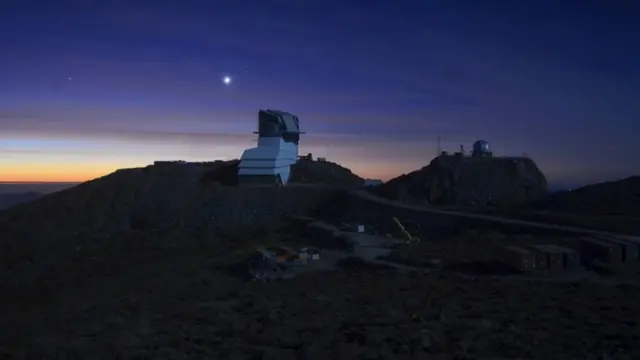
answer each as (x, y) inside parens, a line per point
(270, 162)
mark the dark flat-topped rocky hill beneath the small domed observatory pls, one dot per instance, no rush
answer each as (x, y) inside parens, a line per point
(451, 180)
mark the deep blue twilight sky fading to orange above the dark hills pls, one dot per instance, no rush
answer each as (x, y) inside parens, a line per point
(92, 86)
